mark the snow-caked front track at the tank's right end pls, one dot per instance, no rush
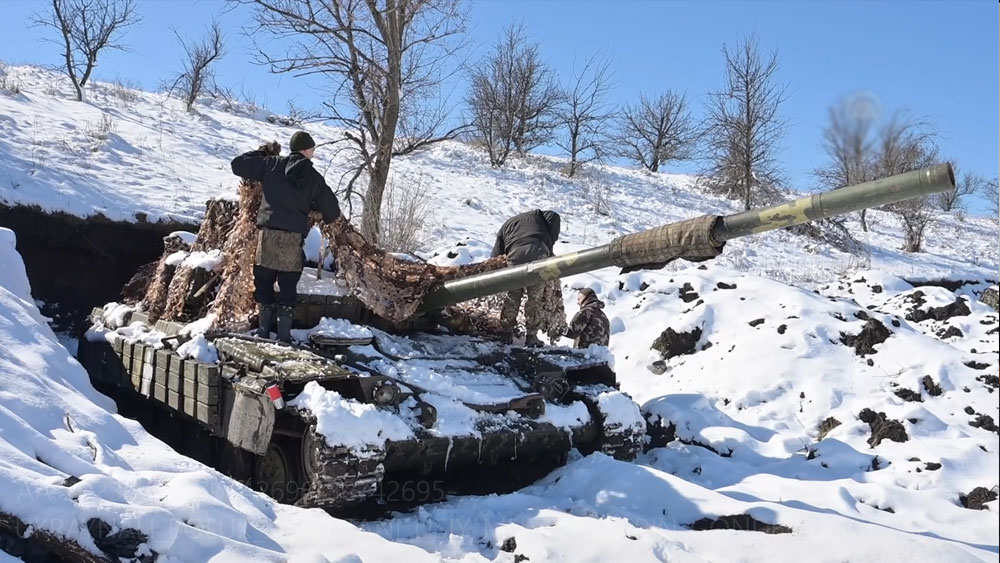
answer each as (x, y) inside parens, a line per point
(621, 439)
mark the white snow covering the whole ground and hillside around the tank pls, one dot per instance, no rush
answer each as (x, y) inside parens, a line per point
(772, 363)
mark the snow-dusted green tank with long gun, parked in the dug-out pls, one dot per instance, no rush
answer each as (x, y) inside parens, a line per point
(362, 411)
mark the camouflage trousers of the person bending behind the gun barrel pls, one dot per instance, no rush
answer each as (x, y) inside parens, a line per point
(543, 310)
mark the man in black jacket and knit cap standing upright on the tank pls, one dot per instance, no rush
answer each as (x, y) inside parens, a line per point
(292, 188)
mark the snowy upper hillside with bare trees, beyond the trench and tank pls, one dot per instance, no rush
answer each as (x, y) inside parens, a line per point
(147, 156)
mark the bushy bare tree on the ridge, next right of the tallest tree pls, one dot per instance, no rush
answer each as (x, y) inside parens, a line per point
(512, 97)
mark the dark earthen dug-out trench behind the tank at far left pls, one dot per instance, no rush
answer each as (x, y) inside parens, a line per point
(75, 264)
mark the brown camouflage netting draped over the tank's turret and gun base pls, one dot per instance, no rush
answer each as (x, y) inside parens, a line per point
(390, 285)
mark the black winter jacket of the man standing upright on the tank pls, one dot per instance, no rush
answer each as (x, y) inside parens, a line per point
(292, 188)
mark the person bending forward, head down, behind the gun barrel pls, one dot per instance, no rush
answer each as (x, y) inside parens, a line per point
(525, 238)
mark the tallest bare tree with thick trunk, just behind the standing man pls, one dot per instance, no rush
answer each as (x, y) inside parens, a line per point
(382, 59)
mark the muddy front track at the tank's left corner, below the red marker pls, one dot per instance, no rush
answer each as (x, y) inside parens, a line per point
(338, 476)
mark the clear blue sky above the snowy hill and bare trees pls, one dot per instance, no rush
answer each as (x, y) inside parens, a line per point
(938, 60)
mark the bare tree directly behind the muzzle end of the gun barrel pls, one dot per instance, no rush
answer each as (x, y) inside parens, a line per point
(906, 144)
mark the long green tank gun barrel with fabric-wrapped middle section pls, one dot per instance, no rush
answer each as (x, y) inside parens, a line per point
(696, 239)
